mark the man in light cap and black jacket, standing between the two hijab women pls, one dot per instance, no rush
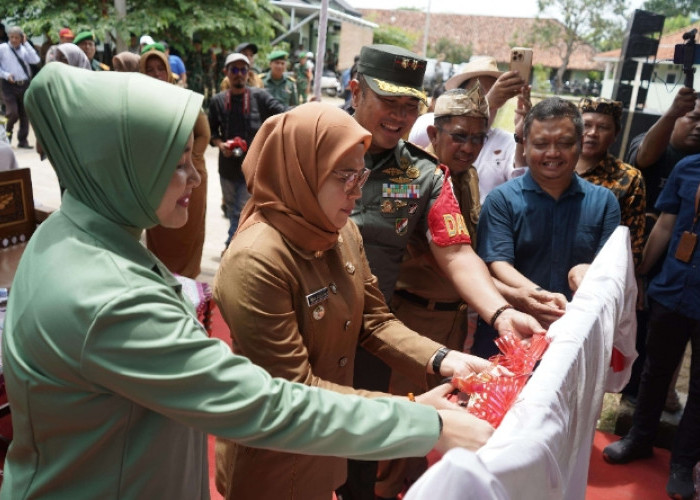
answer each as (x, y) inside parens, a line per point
(235, 115)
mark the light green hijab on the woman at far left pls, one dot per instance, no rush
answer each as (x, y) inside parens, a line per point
(114, 139)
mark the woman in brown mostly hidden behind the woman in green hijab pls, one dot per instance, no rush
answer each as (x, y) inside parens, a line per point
(181, 249)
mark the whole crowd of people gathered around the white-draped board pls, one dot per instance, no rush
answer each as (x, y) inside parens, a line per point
(359, 268)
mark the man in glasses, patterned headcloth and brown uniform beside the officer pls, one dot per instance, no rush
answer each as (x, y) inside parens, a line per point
(425, 298)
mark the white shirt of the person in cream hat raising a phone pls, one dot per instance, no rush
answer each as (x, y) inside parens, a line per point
(495, 162)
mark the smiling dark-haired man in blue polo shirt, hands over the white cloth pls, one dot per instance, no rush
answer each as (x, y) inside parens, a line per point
(539, 233)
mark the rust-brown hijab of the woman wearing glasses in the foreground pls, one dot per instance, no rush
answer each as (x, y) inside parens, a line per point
(291, 157)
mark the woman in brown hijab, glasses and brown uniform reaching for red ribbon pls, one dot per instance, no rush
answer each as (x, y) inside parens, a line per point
(296, 290)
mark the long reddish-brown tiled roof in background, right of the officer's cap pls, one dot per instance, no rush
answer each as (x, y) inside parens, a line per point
(487, 35)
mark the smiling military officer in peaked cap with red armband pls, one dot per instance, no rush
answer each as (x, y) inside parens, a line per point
(409, 195)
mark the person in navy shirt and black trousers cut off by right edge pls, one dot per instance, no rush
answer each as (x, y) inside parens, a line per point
(674, 318)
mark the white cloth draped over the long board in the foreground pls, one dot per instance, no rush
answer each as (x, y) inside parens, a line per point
(542, 448)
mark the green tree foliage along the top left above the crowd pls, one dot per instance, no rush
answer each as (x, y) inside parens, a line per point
(218, 22)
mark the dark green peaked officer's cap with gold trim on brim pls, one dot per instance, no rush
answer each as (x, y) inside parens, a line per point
(392, 71)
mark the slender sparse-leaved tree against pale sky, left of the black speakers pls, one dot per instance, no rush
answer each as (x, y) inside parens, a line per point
(600, 23)
